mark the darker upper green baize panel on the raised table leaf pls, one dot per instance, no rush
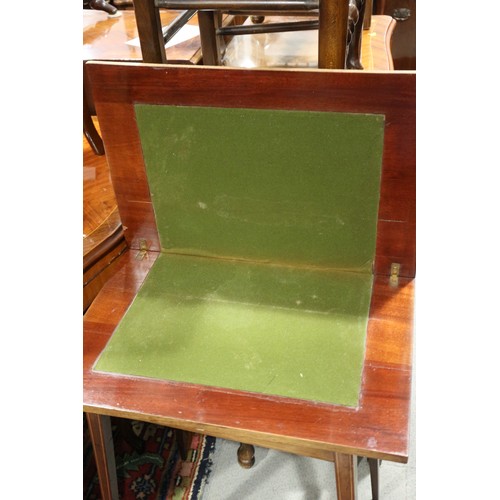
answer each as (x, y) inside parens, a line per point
(279, 186)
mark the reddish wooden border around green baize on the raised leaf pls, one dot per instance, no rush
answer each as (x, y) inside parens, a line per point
(116, 87)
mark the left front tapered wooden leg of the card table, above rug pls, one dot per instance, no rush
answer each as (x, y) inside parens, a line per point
(102, 443)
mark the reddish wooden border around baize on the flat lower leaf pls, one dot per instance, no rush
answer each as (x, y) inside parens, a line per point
(377, 428)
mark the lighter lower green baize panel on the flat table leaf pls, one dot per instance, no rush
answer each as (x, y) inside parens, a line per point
(256, 327)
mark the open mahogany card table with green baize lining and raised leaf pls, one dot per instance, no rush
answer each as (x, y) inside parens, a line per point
(267, 293)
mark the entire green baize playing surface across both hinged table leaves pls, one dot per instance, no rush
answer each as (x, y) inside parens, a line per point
(267, 221)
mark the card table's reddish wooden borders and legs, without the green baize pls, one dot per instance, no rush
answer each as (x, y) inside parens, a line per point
(378, 428)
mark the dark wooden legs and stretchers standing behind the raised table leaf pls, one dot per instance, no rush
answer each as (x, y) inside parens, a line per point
(339, 22)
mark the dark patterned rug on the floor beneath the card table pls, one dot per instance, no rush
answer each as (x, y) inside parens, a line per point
(151, 468)
